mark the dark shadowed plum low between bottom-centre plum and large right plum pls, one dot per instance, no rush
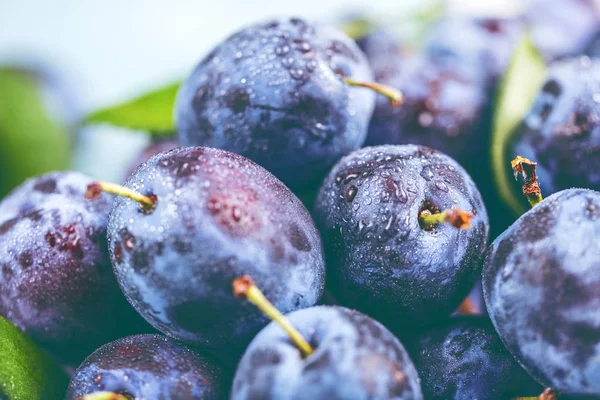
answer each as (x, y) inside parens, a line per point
(464, 359)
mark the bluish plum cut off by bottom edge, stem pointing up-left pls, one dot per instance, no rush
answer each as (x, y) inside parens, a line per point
(354, 357)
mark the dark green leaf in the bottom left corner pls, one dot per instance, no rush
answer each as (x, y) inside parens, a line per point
(26, 373)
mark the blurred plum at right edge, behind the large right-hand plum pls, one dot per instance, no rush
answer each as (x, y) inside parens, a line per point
(562, 130)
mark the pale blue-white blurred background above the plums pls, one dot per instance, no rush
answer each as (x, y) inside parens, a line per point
(110, 50)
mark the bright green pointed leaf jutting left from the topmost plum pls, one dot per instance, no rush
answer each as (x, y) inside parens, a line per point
(151, 112)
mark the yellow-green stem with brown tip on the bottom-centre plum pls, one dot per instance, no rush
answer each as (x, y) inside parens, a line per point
(245, 287)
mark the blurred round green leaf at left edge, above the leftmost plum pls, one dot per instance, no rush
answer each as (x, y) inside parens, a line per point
(33, 140)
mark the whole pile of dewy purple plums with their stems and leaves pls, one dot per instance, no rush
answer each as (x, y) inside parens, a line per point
(256, 250)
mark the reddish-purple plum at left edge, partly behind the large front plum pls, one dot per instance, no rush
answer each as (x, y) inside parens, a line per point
(56, 281)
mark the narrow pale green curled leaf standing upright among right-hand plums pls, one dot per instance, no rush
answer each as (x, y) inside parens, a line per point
(516, 94)
